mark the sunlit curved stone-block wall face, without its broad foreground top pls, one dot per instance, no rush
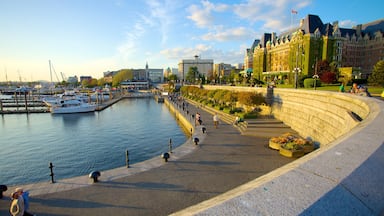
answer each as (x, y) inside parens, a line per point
(319, 115)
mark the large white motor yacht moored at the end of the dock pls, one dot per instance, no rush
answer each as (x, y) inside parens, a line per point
(72, 106)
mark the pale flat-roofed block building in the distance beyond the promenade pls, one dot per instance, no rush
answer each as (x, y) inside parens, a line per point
(204, 67)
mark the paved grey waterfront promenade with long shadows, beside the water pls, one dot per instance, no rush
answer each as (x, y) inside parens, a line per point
(223, 160)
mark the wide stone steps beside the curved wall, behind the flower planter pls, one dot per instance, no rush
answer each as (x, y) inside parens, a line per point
(264, 127)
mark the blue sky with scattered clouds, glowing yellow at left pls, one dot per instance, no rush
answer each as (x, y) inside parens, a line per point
(89, 37)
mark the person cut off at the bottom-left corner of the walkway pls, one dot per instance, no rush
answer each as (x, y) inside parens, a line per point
(20, 203)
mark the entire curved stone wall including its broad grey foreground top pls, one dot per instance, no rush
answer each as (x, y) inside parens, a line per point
(343, 176)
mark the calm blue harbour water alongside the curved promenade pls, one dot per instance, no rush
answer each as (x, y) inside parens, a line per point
(79, 143)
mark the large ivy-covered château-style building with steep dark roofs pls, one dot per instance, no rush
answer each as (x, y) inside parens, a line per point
(296, 52)
